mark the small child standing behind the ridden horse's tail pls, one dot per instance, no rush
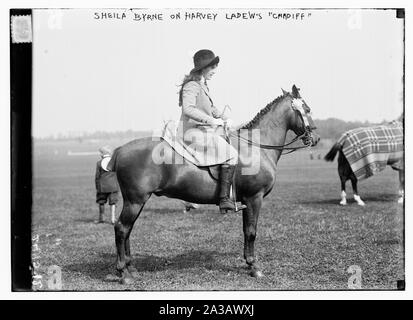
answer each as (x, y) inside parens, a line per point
(106, 185)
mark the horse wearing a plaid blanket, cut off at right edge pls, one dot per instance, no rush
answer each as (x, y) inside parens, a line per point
(364, 152)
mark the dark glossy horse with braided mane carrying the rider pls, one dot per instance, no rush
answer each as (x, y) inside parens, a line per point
(139, 176)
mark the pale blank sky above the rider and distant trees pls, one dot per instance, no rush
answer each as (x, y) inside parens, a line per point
(117, 74)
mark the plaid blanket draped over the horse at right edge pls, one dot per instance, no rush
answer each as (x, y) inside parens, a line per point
(369, 150)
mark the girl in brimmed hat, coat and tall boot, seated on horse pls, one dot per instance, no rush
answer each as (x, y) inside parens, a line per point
(203, 122)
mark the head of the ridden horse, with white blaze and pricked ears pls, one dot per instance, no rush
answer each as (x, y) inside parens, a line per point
(300, 120)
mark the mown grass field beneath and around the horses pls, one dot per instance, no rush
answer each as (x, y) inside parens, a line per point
(305, 239)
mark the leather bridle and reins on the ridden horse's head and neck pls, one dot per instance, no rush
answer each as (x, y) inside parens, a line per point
(297, 106)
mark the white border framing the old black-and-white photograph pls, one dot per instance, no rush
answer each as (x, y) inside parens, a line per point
(5, 272)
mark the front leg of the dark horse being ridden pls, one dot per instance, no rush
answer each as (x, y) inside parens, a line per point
(250, 219)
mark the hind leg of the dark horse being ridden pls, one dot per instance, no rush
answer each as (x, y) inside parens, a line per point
(123, 228)
